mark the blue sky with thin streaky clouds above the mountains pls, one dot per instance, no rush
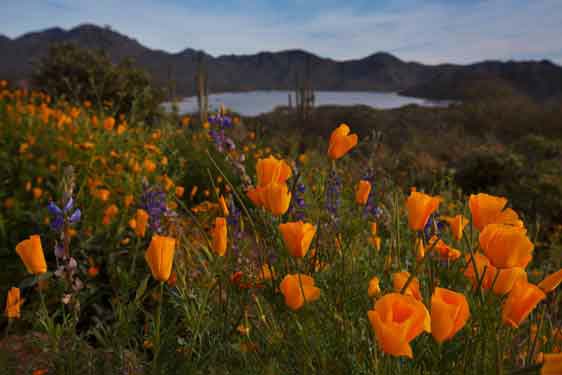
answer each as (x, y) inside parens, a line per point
(430, 31)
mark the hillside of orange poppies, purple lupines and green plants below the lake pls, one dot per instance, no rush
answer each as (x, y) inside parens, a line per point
(266, 246)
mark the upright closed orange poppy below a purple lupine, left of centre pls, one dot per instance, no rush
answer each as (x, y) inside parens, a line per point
(160, 256)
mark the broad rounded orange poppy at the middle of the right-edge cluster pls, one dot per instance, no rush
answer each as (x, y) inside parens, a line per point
(506, 246)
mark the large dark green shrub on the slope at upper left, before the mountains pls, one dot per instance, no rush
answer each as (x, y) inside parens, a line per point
(81, 75)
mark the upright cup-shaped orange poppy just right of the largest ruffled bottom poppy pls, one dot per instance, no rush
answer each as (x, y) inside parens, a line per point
(449, 313)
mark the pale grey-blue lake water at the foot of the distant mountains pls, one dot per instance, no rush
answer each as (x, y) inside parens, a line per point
(253, 103)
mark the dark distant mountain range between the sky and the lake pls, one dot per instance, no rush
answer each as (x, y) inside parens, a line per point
(278, 70)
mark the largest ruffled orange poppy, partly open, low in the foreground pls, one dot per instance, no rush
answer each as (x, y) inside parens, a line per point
(397, 319)
